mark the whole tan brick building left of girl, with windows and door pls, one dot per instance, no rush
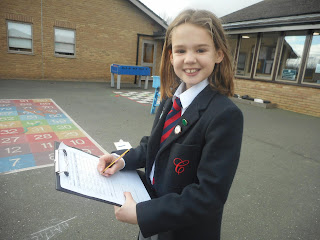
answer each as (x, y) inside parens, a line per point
(77, 40)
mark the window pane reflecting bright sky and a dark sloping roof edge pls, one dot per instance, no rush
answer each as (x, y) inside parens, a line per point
(291, 54)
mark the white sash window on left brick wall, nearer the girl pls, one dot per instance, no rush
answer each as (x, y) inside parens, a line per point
(64, 42)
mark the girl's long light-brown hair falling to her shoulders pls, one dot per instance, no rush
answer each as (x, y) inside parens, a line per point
(221, 78)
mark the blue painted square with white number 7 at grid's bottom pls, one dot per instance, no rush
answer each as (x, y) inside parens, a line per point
(16, 162)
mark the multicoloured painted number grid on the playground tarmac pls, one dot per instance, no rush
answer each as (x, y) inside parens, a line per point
(28, 129)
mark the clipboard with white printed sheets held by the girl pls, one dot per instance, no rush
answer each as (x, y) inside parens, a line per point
(67, 176)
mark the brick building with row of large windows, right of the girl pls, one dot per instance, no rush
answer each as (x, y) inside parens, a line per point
(276, 50)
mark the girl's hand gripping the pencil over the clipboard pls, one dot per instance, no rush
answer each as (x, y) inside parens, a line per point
(105, 161)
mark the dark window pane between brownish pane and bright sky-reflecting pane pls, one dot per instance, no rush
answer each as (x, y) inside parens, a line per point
(266, 55)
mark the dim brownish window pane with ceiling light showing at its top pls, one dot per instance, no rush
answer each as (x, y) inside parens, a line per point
(246, 52)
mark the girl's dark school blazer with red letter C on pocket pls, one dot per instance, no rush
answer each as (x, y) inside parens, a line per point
(194, 169)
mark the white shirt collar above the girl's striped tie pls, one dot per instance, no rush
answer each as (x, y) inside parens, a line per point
(187, 96)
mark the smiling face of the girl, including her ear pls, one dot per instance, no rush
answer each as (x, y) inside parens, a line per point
(193, 54)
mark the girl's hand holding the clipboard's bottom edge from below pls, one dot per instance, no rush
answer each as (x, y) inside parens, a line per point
(127, 213)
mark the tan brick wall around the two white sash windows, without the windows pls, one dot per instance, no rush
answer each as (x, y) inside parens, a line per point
(106, 32)
